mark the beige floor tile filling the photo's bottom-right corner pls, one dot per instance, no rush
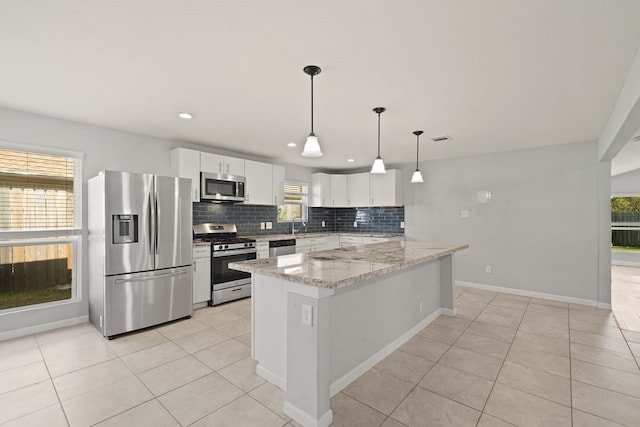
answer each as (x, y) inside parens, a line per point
(606, 404)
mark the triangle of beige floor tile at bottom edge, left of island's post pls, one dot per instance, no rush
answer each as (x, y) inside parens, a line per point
(242, 412)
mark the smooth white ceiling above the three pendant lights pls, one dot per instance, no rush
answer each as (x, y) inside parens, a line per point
(493, 75)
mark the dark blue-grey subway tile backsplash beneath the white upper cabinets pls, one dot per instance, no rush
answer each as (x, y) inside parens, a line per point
(248, 218)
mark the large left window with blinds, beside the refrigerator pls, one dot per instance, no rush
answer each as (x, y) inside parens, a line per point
(40, 195)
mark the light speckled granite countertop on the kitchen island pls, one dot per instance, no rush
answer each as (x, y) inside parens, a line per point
(342, 267)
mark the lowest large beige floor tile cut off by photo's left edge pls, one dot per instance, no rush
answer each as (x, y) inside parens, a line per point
(26, 400)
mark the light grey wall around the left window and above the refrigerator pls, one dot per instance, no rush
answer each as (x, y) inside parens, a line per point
(103, 148)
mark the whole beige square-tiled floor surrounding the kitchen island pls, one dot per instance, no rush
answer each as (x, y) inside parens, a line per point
(503, 360)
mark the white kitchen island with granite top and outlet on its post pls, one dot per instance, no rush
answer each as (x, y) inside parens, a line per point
(322, 319)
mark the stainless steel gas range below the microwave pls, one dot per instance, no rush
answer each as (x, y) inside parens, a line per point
(227, 284)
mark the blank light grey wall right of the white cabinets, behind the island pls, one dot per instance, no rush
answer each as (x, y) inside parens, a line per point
(542, 230)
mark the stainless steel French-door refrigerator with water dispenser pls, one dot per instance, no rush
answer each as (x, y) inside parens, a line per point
(140, 250)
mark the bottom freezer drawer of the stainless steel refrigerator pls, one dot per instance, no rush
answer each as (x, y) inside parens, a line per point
(140, 300)
